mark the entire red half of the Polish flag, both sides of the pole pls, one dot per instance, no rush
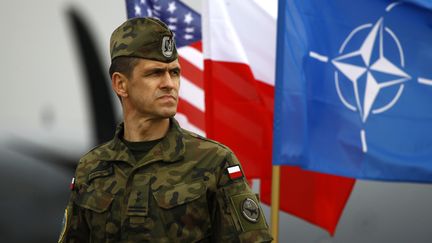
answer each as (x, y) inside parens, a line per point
(239, 113)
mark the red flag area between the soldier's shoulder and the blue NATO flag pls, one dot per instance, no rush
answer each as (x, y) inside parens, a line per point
(236, 116)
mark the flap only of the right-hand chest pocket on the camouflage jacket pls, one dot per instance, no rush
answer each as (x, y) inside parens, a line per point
(179, 194)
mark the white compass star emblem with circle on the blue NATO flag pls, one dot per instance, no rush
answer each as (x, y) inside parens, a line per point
(370, 70)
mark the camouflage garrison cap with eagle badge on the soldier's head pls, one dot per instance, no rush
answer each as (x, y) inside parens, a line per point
(147, 38)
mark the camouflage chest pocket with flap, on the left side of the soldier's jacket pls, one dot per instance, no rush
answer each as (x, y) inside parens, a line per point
(96, 206)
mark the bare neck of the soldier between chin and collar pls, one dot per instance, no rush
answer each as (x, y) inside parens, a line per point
(144, 129)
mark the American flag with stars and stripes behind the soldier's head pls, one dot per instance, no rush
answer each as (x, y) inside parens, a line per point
(186, 25)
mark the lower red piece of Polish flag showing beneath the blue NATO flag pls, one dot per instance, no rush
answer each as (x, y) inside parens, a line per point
(322, 197)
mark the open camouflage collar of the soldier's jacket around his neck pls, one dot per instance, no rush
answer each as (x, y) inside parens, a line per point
(170, 149)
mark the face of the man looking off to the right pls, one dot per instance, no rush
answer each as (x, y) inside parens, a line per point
(153, 88)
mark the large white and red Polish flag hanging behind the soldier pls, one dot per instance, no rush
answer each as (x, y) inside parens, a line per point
(239, 41)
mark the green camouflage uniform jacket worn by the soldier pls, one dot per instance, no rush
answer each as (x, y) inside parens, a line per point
(179, 192)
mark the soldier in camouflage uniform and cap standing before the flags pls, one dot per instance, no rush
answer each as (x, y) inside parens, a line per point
(154, 181)
